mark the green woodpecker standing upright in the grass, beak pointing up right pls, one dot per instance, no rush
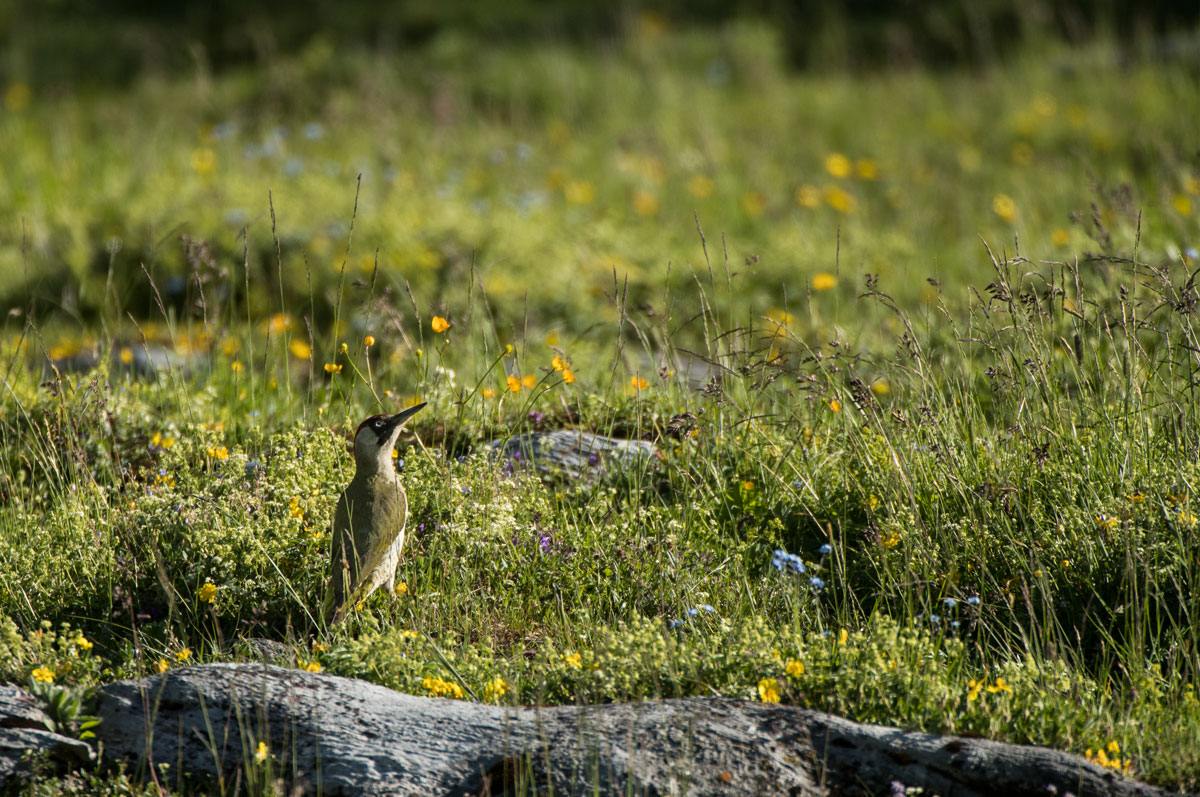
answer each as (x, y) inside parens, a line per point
(369, 523)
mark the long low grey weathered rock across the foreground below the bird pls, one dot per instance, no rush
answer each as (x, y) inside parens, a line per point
(340, 736)
